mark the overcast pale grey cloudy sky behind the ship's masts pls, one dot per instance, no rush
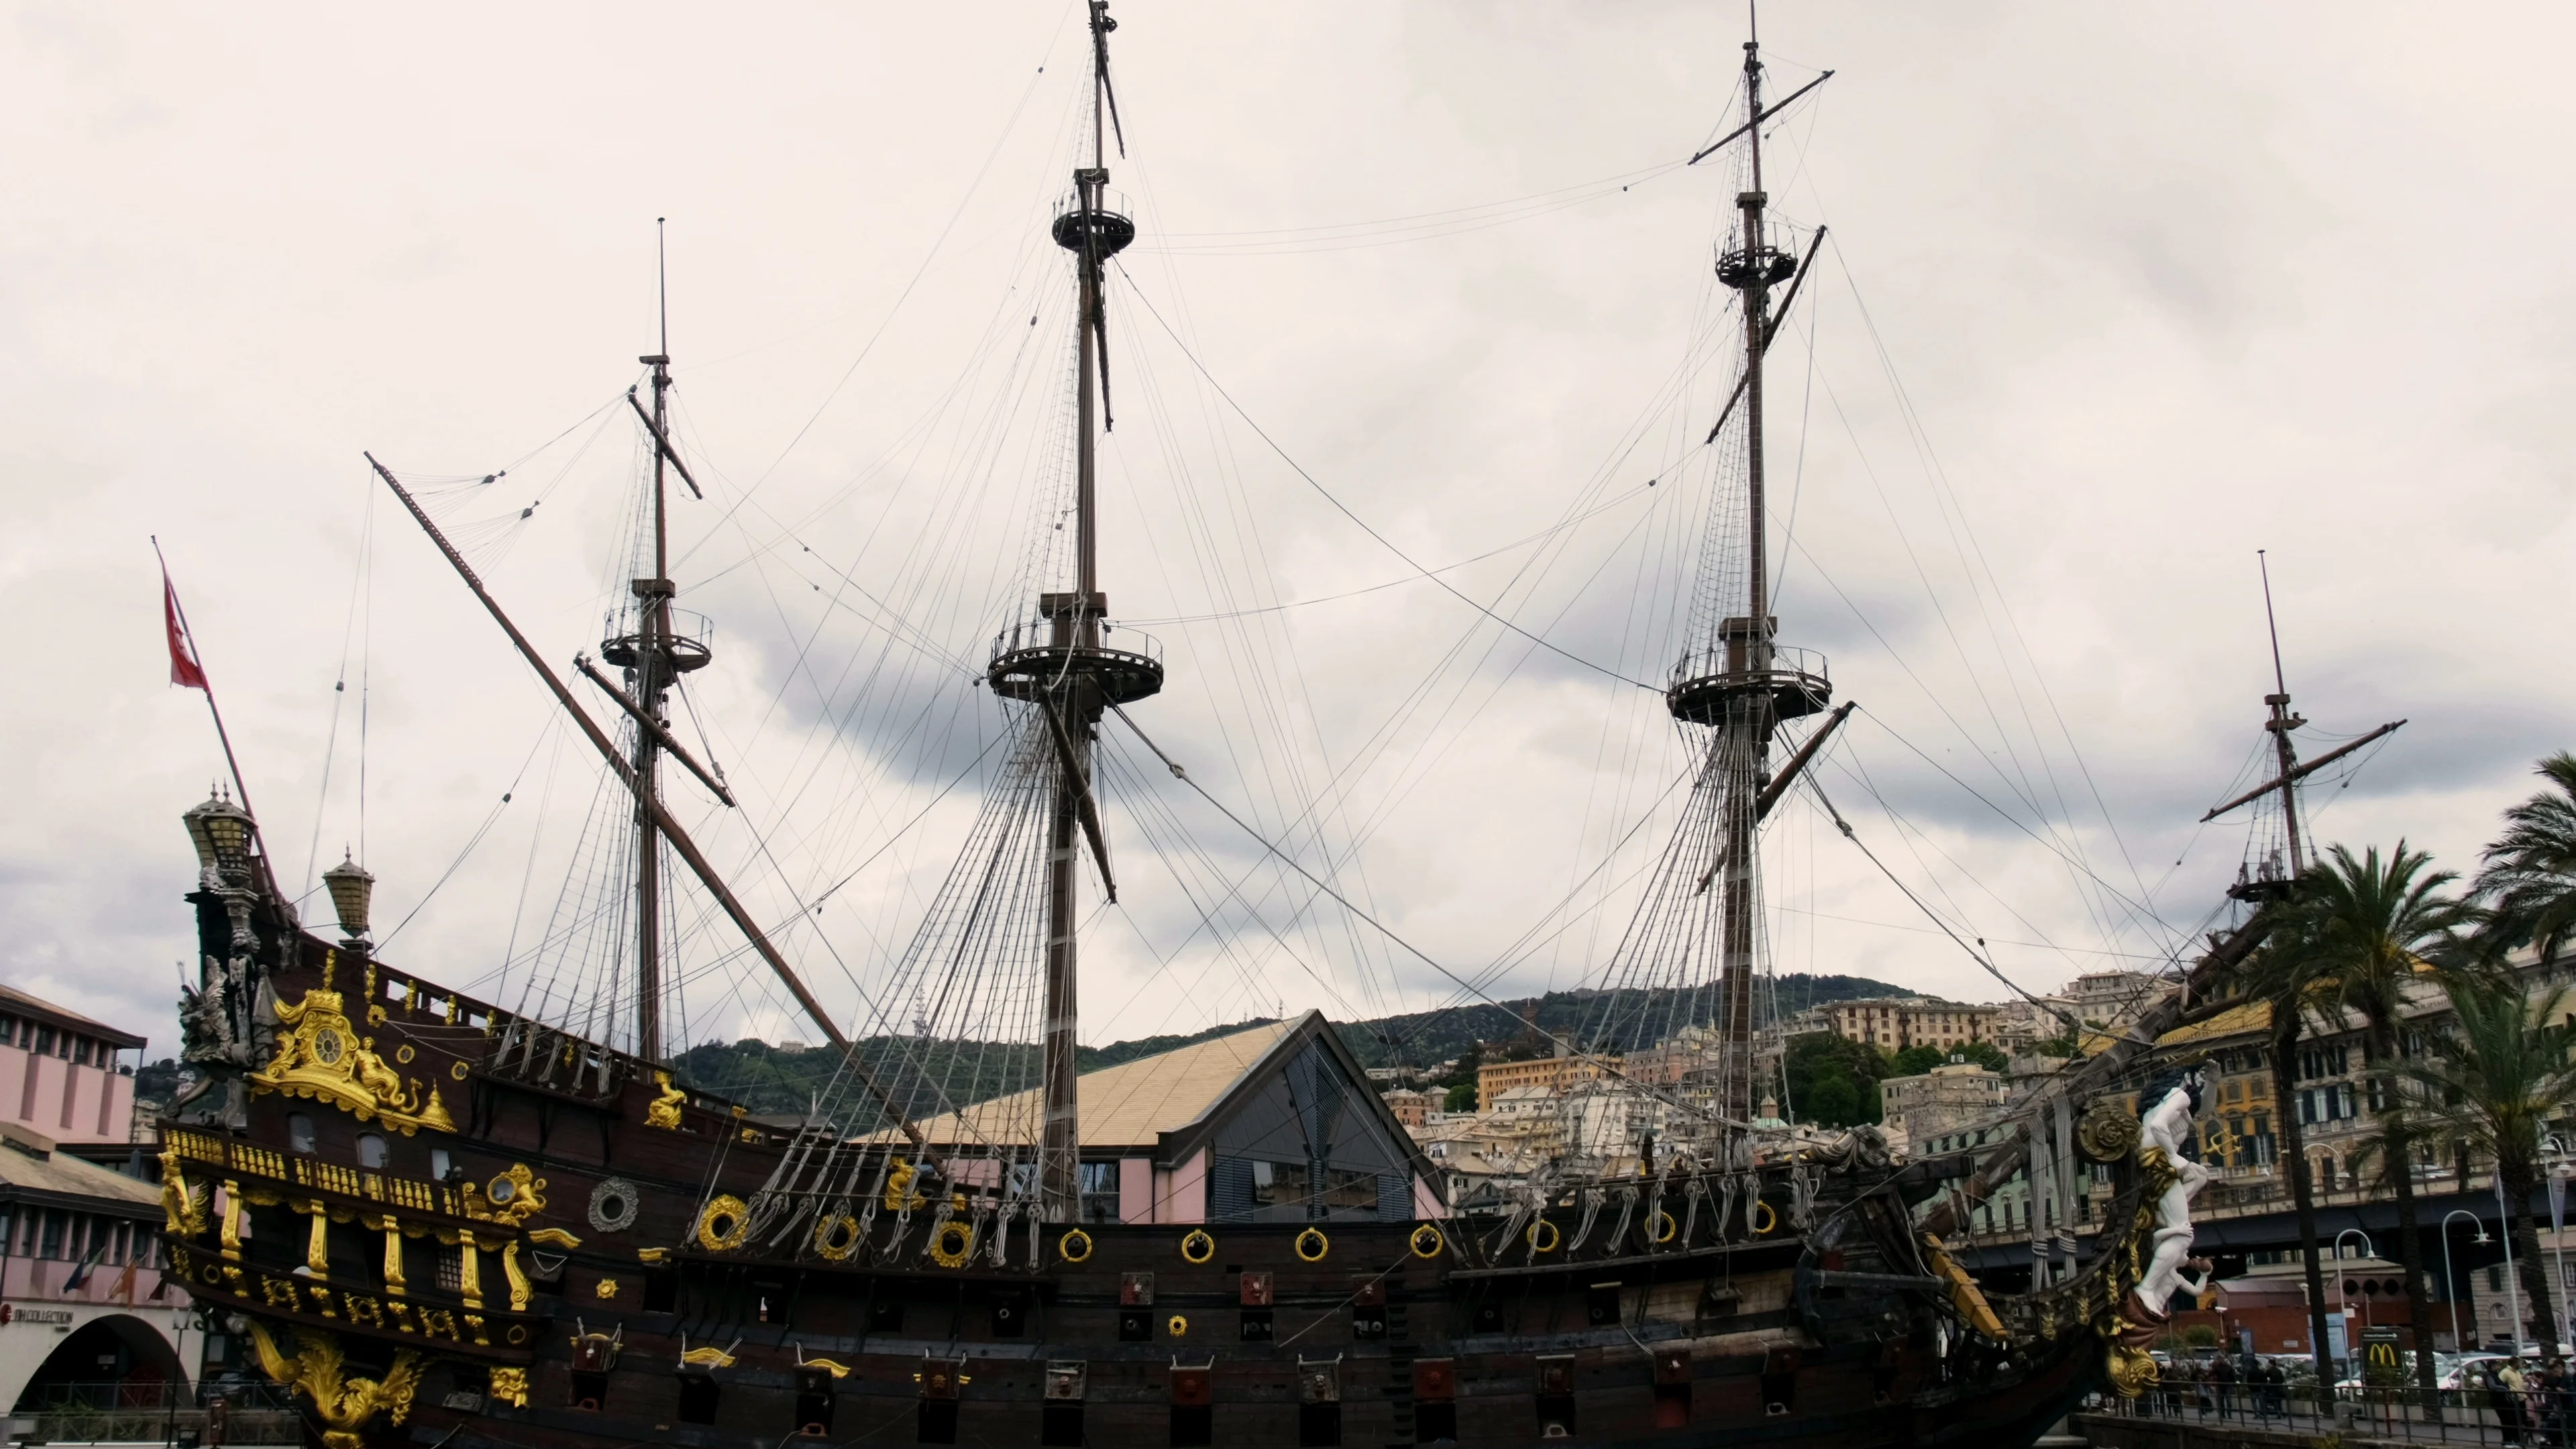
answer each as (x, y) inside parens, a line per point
(2114, 300)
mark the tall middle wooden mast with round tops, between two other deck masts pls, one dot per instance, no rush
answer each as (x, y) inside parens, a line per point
(1063, 664)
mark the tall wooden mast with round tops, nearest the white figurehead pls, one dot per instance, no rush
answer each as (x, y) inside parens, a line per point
(1740, 682)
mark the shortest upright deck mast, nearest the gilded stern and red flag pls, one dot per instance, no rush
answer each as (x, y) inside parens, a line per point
(653, 659)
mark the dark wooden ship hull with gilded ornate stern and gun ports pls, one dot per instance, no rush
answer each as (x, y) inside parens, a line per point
(447, 1226)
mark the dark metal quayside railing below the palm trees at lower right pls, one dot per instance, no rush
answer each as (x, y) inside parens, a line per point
(2356, 1414)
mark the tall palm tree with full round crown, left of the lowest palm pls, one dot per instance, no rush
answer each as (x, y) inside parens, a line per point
(2369, 927)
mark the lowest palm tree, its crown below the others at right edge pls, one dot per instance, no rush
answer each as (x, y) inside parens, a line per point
(2495, 1079)
